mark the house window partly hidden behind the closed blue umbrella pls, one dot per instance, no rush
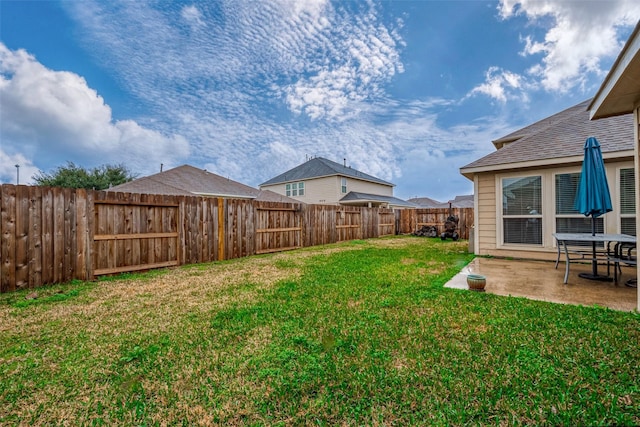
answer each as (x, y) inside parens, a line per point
(568, 219)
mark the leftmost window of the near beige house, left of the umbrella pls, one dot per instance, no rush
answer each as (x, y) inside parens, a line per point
(521, 210)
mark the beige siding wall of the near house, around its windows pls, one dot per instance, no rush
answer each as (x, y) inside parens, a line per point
(488, 231)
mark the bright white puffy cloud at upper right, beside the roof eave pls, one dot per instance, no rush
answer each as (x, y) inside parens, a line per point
(578, 38)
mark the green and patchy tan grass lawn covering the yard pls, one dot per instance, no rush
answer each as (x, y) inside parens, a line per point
(359, 333)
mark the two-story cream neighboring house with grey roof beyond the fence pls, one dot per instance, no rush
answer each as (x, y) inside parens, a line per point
(322, 181)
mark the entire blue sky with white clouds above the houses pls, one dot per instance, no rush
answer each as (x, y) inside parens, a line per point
(407, 91)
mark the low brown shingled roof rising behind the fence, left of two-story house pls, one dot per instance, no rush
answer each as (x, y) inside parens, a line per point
(187, 180)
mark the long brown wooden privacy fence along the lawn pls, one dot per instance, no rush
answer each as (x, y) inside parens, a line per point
(51, 235)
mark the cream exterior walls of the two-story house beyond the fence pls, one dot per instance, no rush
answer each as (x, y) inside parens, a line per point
(327, 190)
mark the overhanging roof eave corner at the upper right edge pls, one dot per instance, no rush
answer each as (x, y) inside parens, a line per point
(620, 90)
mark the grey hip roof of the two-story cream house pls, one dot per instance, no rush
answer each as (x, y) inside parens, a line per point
(319, 167)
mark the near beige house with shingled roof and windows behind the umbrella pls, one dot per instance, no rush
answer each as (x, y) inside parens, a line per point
(525, 190)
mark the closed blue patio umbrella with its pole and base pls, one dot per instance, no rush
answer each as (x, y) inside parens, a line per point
(593, 198)
